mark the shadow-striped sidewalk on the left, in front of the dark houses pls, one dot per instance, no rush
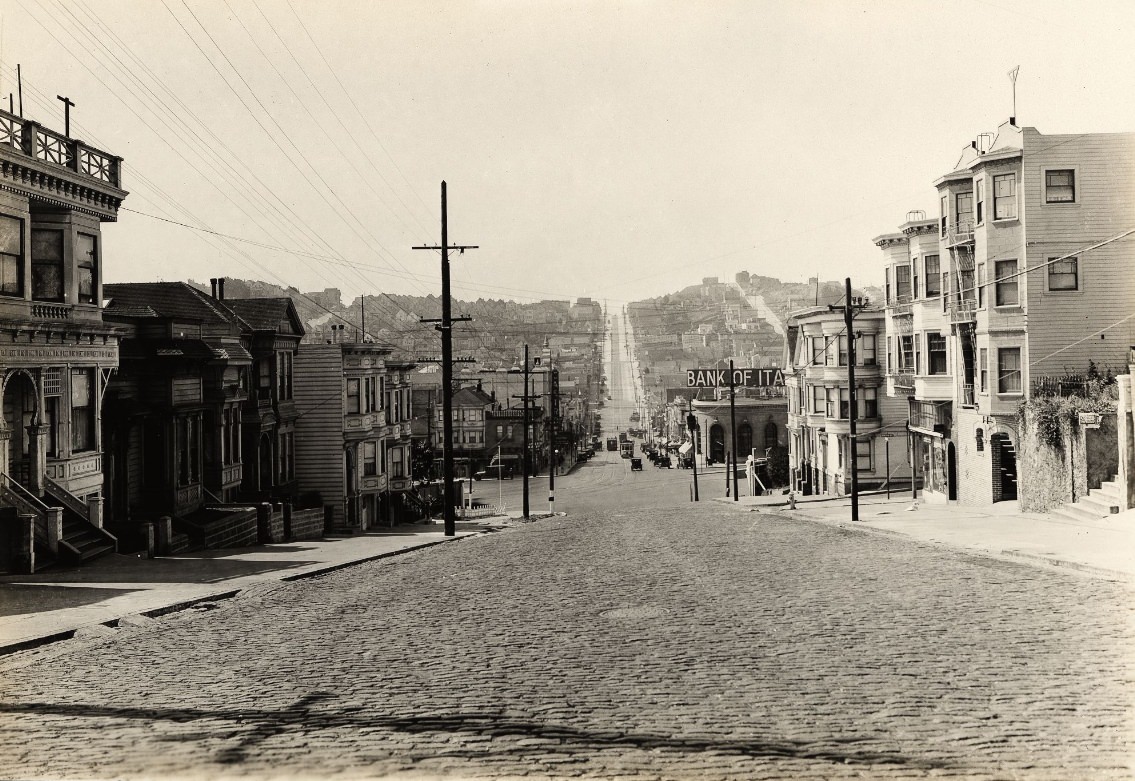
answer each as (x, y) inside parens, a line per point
(54, 606)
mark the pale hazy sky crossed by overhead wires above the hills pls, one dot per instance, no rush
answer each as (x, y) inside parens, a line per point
(612, 150)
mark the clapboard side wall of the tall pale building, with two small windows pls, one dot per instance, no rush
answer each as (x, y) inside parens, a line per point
(1105, 166)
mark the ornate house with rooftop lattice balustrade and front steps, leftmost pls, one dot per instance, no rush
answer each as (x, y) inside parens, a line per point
(56, 351)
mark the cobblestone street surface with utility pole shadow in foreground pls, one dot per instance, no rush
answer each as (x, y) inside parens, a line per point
(640, 644)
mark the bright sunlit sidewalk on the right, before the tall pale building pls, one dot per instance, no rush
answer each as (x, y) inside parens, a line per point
(1104, 549)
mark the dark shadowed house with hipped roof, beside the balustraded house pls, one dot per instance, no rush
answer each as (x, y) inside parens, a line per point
(174, 410)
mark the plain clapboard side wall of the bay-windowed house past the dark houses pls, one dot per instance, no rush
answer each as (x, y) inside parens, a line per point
(320, 402)
